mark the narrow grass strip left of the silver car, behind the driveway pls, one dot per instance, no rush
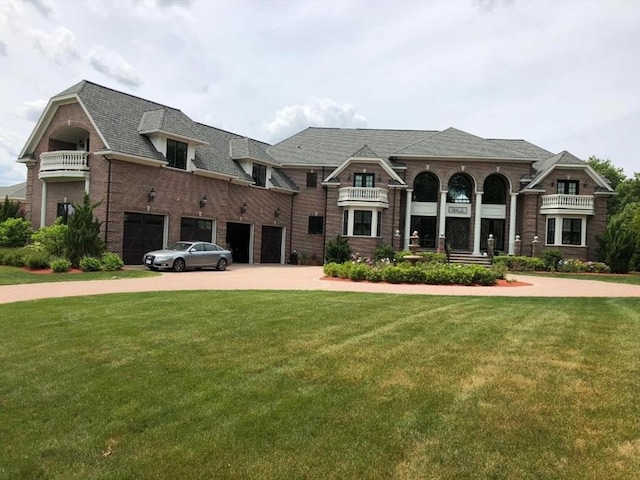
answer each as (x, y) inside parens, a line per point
(15, 276)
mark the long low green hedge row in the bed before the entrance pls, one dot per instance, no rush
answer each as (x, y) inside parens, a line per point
(427, 273)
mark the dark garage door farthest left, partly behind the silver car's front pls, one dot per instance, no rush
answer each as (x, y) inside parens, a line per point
(142, 233)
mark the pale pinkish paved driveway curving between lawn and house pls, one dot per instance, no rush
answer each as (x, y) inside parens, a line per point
(288, 277)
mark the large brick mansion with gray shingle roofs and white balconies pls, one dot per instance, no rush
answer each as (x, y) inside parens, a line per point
(160, 177)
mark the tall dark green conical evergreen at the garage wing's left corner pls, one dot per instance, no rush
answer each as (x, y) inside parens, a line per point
(82, 237)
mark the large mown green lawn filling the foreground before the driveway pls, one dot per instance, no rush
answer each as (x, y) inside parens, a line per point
(288, 385)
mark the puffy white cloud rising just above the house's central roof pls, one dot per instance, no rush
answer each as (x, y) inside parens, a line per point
(316, 112)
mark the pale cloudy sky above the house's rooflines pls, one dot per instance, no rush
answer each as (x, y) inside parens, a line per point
(564, 75)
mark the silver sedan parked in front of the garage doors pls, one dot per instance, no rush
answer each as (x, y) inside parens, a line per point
(183, 255)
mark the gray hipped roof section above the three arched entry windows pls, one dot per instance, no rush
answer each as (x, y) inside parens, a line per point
(456, 143)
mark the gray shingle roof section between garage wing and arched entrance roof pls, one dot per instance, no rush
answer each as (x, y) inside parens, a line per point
(331, 146)
